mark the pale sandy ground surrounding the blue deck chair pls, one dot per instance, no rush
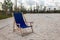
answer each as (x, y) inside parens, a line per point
(46, 27)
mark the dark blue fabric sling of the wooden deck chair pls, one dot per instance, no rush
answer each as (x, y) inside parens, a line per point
(19, 19)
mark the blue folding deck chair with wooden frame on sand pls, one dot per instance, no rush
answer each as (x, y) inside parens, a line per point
(20, 23)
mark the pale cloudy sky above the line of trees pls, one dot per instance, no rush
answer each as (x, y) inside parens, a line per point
(28, 3)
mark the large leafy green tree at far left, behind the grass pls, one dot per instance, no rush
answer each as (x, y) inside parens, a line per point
(7, 6)
